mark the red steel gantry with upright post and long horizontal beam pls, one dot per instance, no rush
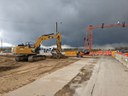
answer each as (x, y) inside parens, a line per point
(90, 28)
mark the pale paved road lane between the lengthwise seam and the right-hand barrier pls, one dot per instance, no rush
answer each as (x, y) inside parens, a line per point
(111, 79)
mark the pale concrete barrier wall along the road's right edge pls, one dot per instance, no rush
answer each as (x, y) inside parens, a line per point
(122, 58)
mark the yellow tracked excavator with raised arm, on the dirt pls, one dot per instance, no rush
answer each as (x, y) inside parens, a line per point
(29, 52)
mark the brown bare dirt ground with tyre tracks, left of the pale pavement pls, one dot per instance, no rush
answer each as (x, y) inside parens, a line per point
(17, 74)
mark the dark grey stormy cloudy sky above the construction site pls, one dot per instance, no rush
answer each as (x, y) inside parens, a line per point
(26, 20)
